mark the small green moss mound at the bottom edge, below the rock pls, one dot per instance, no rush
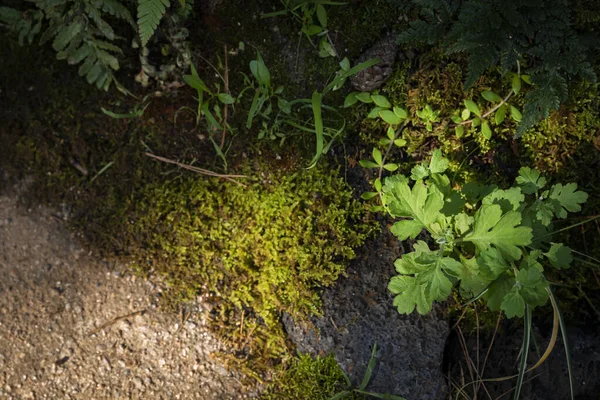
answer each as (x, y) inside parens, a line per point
(308, 378)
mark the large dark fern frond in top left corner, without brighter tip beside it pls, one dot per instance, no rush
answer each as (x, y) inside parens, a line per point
(79, 33)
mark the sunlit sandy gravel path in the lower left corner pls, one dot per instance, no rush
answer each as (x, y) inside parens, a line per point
(76, 327)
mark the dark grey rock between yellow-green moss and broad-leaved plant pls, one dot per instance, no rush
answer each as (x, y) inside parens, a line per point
(358, 312)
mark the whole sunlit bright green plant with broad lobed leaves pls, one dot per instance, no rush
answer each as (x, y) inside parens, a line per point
(490, 240)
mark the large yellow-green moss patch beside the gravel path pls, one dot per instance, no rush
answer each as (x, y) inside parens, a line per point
(255, 250)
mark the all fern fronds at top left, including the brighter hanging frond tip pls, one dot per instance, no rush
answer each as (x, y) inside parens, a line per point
(83, 31)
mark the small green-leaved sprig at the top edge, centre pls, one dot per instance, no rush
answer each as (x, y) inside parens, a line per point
(305, 12)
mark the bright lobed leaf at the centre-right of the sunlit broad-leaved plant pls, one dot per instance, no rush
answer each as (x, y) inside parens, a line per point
(491, 228)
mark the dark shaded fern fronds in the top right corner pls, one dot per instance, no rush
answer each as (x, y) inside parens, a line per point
(538, 35)
